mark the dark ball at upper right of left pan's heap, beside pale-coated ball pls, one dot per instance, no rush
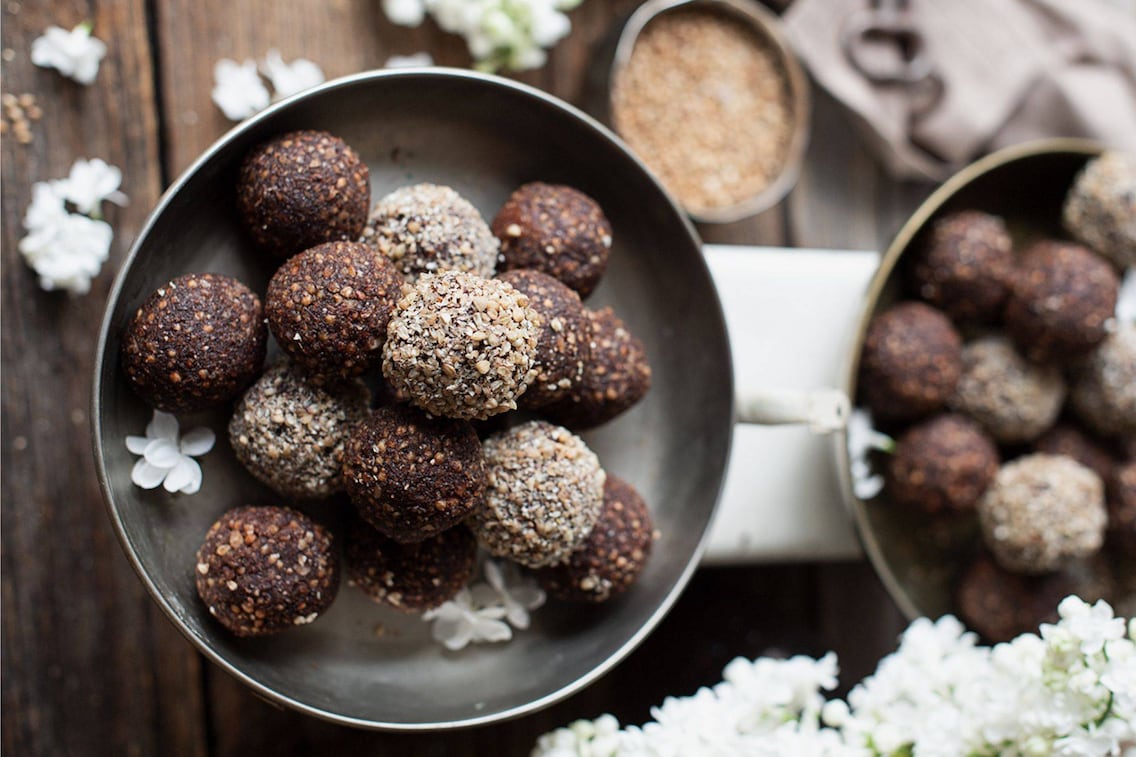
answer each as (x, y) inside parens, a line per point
(558, 230)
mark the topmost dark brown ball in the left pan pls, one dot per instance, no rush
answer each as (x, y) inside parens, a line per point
(303, 189)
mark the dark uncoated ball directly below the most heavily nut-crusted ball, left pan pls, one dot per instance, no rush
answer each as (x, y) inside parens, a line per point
(412, 476)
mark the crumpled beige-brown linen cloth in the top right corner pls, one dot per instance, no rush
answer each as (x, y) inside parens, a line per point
(1010, 71)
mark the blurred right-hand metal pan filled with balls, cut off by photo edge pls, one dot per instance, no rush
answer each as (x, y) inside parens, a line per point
(1000, 359)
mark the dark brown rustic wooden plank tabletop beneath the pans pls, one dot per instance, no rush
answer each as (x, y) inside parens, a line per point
(90, 663)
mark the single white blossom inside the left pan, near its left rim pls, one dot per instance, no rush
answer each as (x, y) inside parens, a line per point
(168, 459)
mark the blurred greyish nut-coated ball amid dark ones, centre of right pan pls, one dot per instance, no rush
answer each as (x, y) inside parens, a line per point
(1010, 397)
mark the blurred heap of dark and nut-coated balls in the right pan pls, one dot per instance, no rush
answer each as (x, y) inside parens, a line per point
(1012, 388)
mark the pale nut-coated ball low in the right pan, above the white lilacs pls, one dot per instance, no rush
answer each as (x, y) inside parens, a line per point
(1041, 512)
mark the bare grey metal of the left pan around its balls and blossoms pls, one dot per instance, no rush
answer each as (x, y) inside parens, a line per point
(361, 664)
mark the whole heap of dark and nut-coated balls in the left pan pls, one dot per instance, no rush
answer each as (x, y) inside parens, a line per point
(448, 320)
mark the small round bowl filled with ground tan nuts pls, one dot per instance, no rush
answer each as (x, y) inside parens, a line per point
(712, 98)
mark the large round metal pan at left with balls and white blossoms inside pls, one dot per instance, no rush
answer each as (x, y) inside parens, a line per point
(436, 396)
